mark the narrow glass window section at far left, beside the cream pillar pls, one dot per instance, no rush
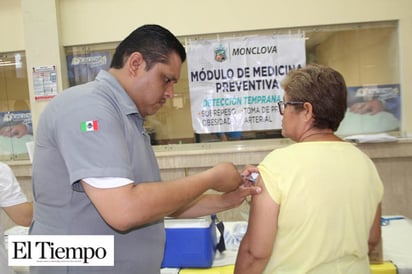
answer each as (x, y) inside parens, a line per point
(15, 116)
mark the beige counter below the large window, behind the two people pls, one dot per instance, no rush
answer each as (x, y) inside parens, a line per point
(393, 161)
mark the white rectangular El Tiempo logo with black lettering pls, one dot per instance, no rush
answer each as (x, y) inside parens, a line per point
(61, 250)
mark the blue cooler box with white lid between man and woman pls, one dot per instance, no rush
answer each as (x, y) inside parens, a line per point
(189, 242)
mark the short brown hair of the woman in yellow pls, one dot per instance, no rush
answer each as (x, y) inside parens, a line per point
(324, 88)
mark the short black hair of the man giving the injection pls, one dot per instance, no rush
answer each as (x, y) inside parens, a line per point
(154, 42)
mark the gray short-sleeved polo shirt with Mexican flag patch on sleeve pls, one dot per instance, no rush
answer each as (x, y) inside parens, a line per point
(64, 154)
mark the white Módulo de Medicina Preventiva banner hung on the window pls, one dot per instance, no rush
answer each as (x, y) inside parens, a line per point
(235, 82)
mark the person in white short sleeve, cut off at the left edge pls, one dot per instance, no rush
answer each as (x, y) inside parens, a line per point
(14, 203)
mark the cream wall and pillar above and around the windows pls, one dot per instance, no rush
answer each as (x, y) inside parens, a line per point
(42, 27)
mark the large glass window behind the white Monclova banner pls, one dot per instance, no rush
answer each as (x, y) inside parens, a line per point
(366, 54)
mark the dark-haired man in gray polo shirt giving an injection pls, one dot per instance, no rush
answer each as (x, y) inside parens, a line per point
(94, 170)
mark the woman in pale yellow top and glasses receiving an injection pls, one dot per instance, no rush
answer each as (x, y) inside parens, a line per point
(319, 210)
